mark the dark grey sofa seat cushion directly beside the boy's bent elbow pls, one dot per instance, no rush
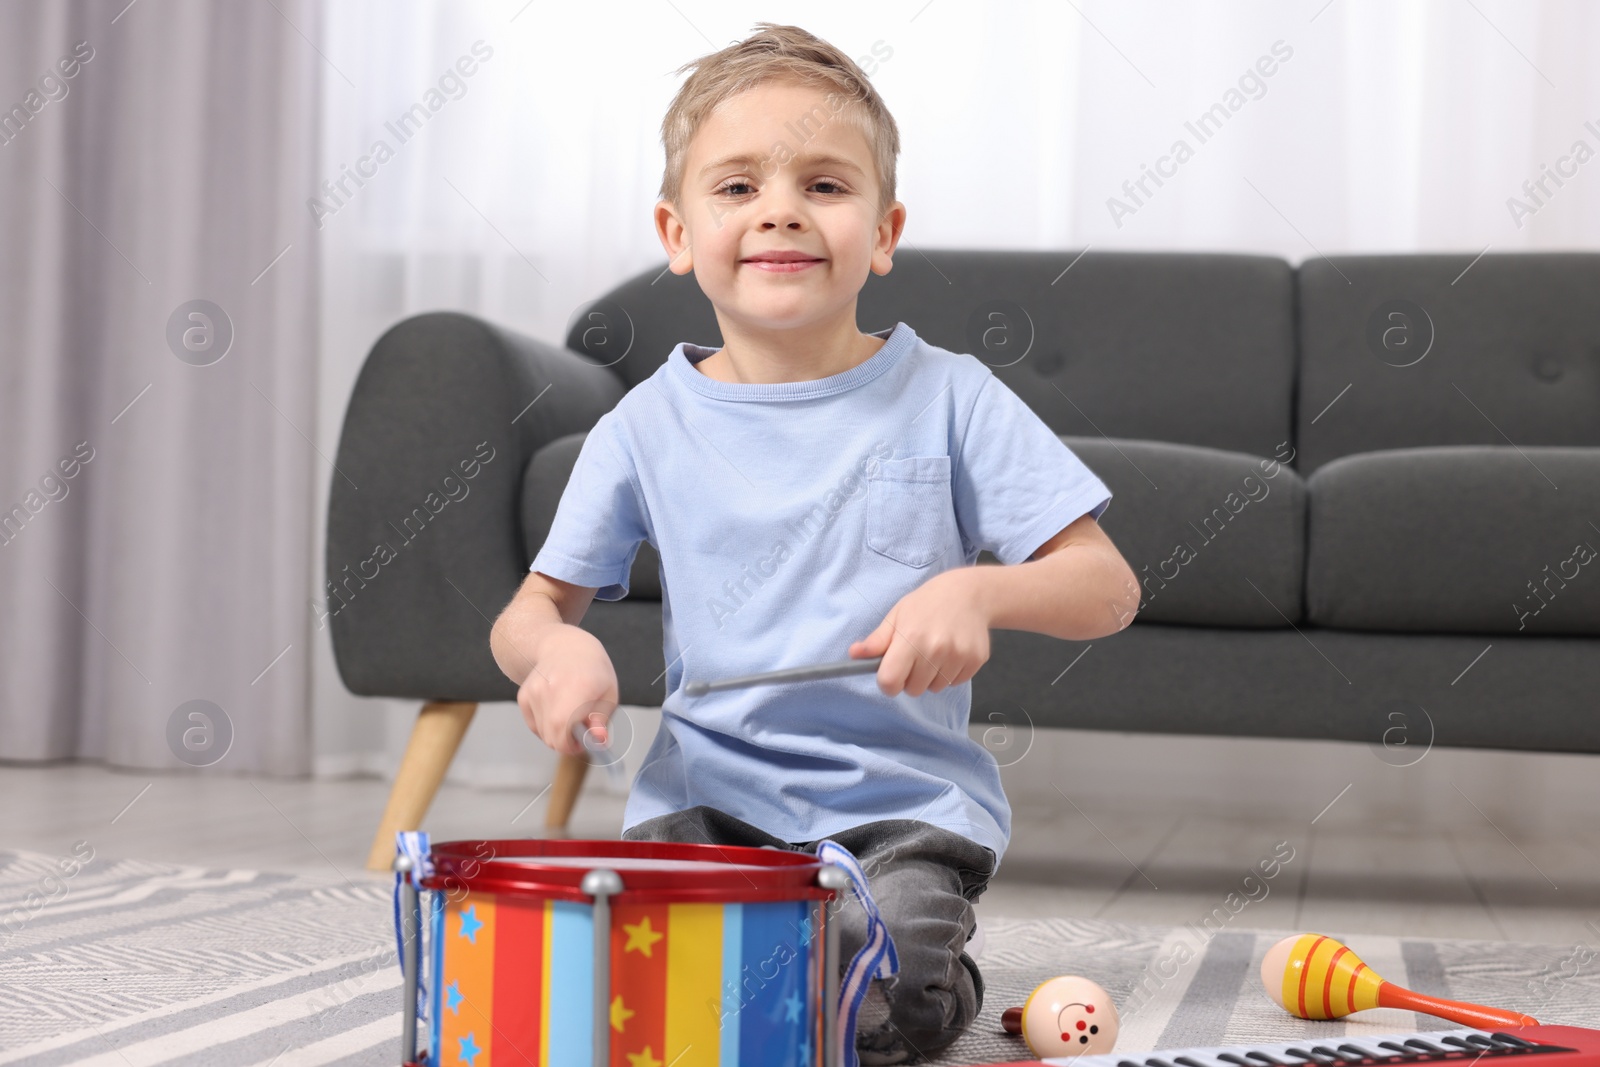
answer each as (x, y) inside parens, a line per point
(1215, 538)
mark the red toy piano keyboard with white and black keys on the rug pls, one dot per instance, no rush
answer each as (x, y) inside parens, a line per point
(1545, 1045)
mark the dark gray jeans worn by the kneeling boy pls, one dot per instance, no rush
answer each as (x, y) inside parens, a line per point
(924, 881)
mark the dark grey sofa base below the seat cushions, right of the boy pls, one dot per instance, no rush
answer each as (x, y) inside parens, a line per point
(1391, 697)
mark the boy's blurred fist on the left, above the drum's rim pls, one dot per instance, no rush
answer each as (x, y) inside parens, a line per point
(572, 684)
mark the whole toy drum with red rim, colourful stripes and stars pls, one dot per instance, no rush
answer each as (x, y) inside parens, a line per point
(617, 954)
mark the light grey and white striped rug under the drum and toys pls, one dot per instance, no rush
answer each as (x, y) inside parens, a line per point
(130, 964)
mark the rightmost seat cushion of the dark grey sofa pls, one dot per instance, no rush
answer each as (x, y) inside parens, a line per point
(1457, 540)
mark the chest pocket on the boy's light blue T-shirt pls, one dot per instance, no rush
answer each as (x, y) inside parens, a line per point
(911, 516)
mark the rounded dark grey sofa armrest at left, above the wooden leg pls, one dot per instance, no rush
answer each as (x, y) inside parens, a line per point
(425, 541)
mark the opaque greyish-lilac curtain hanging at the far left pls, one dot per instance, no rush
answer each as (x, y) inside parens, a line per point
(156, 513)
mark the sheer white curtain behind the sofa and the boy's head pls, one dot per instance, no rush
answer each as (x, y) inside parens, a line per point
(1319, 129)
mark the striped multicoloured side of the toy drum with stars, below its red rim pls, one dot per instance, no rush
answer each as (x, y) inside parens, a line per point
(692, 985)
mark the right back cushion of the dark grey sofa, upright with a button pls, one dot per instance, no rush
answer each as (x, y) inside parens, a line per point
(1418, 351)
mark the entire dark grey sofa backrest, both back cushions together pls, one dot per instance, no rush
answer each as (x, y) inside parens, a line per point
(1343, 356)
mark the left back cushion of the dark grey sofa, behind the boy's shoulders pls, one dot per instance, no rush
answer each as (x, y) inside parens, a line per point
(1183, 348)
